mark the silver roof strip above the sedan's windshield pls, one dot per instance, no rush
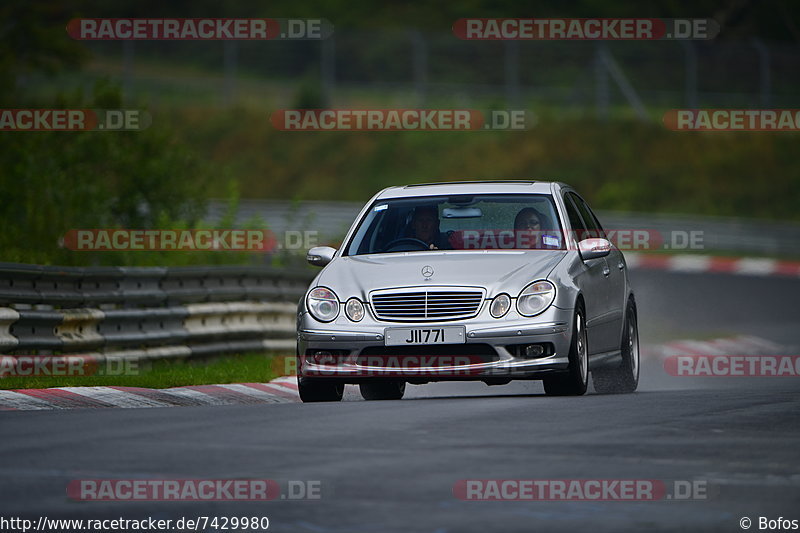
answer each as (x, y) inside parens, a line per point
(468, 187)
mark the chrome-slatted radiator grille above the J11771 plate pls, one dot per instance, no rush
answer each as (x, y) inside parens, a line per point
(427, 304)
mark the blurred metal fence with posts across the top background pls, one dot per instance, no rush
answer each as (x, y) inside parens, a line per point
(414, 68)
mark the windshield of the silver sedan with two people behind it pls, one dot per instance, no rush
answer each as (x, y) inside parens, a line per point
(463, 222)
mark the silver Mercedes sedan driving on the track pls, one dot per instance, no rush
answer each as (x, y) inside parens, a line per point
(477, 280)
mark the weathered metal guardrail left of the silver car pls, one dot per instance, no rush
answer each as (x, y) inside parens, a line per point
(144, 313)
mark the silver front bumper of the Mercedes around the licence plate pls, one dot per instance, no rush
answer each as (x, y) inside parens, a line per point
(489, 354)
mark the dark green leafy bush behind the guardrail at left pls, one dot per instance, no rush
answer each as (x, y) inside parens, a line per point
(57, 181)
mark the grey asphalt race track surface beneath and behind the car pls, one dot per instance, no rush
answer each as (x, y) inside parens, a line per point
(392, 466)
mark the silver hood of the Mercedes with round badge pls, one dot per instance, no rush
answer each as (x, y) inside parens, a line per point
(497, 271)
